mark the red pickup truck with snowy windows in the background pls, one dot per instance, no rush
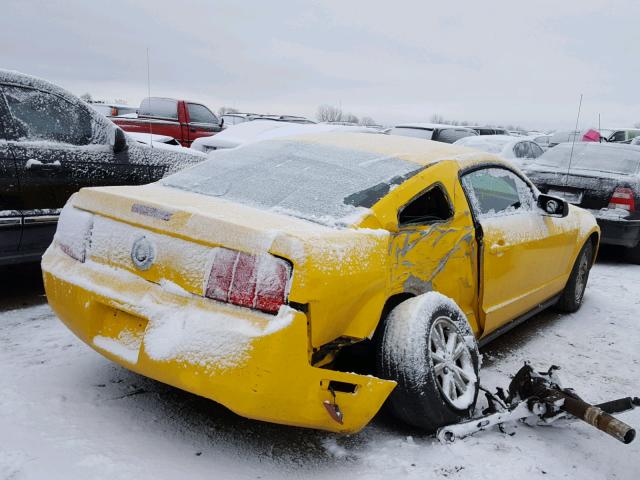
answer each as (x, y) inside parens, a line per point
(183, 120)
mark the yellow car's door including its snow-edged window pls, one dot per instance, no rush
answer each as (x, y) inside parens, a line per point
(524, 255)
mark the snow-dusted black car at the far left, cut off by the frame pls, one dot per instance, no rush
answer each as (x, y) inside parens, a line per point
(51, 145)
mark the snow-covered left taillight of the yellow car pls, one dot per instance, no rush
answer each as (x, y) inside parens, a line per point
(73, 234)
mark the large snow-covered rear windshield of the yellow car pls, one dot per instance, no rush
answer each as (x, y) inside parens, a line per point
(321, 183)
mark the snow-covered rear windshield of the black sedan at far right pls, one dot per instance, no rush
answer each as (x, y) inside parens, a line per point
(592, 157)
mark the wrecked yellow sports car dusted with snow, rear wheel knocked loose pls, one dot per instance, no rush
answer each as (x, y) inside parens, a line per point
(264, 277)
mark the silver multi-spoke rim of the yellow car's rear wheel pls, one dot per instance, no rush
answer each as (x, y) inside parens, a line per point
(451, 360)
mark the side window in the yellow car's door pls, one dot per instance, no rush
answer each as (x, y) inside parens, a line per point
(493, 191)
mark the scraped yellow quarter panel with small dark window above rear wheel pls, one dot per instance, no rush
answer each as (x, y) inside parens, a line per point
(434, 246)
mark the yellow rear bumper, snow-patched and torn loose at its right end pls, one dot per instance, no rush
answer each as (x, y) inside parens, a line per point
(255, 364)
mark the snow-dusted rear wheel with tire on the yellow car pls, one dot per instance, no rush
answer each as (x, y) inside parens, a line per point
(406, 354)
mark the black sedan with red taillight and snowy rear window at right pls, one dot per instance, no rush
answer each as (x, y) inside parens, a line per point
(601, 177)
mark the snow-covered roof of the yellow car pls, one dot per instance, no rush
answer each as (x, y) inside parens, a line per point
(422, 152)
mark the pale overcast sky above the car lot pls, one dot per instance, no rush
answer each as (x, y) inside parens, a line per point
(495, 62)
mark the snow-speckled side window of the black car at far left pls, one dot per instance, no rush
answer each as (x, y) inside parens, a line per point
(43, 116)
